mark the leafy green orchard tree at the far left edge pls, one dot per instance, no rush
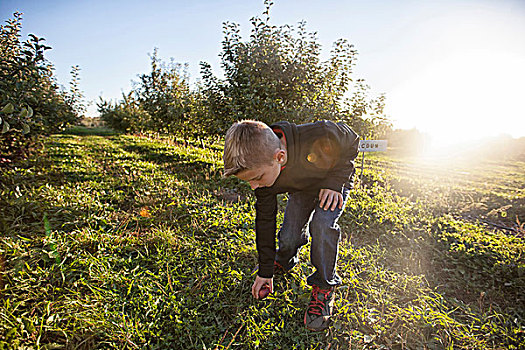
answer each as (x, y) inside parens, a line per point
(31, 103)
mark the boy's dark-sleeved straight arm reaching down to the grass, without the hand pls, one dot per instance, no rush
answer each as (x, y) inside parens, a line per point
(265, 225)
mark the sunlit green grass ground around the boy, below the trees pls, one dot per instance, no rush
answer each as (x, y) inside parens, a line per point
(126, 242)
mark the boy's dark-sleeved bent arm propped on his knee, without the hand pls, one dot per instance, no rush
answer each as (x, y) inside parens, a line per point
(341, 172)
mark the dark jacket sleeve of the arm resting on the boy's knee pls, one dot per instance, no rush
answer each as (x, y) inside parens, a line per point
(340, 149)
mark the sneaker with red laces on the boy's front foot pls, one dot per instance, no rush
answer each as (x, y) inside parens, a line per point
(317, 316)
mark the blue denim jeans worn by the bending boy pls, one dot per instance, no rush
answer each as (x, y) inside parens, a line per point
(303, 218)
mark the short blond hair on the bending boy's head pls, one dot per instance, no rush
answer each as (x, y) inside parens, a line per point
(248, 145)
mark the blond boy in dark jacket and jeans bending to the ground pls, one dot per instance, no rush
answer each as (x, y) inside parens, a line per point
(314, 164)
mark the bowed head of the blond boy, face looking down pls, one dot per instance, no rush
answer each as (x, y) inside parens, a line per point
(253, 153)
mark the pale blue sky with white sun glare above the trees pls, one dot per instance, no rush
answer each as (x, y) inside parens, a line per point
(454, 69)
